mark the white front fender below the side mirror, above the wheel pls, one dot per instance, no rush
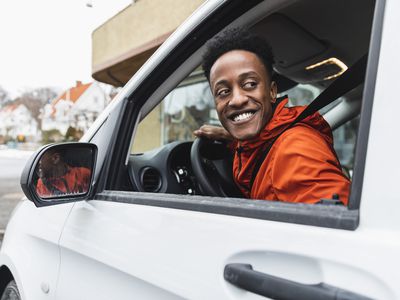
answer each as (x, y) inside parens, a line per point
(31, 232)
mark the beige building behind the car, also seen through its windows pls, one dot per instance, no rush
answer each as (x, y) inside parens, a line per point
(122, 44)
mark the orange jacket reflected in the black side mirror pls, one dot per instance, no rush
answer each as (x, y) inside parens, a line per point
(76, 180)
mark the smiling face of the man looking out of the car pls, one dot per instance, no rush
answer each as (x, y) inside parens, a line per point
(243, 93)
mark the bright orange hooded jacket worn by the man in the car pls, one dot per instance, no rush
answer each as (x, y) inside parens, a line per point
(301, 166)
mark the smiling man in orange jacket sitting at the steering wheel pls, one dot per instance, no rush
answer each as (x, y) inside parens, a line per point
(270, 163)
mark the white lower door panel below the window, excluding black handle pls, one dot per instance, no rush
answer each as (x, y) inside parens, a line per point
(189, 250)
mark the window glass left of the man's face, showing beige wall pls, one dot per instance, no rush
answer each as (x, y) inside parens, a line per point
(182, 111)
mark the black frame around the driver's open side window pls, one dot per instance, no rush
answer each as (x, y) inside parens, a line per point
(330, 216)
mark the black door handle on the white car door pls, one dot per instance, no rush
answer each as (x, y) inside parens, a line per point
(243, 276)
